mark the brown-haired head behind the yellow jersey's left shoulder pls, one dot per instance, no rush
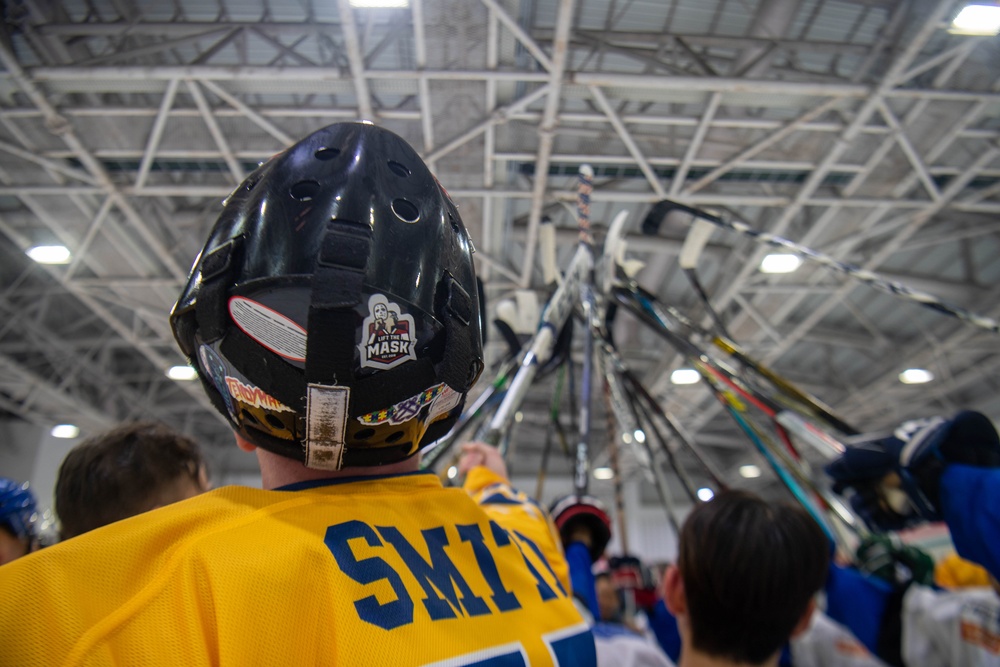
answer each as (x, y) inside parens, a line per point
(128, 470)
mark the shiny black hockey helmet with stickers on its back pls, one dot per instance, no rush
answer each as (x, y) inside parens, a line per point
(333, 314)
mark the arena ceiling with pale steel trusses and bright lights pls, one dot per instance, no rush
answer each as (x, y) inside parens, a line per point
(862, 129)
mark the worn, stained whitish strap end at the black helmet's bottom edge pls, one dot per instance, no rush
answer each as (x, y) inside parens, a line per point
(326, 426)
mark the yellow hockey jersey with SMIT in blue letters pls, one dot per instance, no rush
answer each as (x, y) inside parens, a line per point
(388, 571)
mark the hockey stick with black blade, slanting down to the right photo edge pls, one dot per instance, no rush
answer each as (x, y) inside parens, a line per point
(651, 226)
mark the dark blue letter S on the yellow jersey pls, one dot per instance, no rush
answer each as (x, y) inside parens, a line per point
(369, 570)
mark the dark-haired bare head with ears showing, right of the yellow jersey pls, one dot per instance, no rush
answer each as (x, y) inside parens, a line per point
(746, 575)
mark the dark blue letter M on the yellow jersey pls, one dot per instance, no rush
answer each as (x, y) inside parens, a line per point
(440, 574)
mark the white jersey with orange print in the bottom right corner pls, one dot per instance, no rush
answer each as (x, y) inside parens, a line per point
(945, 628)
